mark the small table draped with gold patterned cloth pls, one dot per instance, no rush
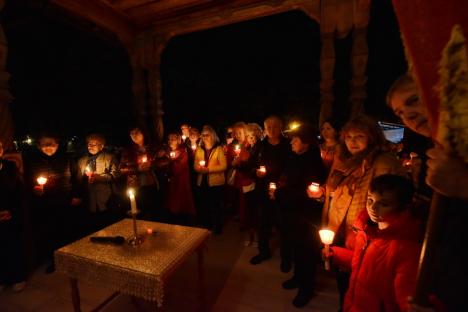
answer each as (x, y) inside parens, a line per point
(139, 271)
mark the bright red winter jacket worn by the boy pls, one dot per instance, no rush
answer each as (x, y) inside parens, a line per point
(383, 264)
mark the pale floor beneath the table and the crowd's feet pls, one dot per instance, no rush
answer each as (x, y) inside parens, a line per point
(232, 285)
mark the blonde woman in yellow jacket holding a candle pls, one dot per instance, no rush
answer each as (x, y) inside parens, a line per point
(211, 179)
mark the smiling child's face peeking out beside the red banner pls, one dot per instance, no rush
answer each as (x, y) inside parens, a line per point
(406, 104)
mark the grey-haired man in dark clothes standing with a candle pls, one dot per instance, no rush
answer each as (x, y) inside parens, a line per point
(274, 152)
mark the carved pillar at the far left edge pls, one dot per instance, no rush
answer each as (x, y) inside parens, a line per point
(6, 121)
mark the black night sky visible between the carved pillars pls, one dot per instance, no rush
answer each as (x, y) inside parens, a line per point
(75, 81)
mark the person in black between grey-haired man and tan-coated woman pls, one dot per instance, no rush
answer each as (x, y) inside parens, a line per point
(300, 214)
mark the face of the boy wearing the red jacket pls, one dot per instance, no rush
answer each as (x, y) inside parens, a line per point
(380, 206)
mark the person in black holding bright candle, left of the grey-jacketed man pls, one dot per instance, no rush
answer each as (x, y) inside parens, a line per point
(54, 197)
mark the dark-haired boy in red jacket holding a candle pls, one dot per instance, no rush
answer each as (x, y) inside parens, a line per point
(387, 245)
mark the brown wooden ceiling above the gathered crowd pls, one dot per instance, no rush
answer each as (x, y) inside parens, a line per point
(128, 18)
